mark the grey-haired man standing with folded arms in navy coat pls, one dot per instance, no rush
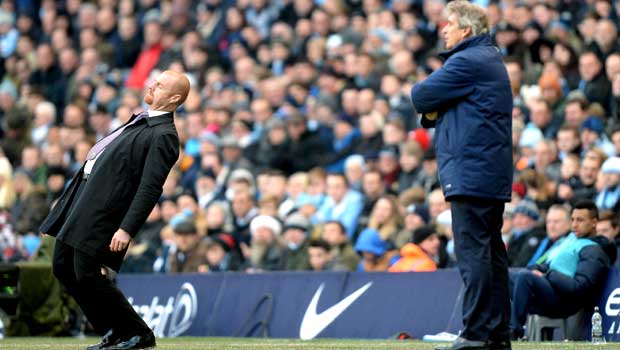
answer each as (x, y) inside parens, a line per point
(469, 103)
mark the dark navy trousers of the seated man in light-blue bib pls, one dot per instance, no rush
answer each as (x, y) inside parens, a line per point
(532, 294)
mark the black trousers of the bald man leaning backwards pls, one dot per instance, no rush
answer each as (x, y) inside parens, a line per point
(104, 305)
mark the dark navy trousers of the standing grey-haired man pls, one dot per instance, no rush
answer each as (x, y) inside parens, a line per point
(483, 264)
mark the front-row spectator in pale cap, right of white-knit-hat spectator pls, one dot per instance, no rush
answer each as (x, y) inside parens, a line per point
(295, 235)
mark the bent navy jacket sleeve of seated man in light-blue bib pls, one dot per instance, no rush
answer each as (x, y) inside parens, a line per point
(591, 273)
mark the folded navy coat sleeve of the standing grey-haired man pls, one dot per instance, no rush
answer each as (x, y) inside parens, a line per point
(451, 82)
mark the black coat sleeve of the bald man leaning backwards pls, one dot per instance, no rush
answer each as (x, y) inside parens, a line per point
(162, 154)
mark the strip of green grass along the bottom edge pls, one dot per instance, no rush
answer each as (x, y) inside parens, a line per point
(274, 344)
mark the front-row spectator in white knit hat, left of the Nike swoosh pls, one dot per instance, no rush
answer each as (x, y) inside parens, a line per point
(267, 250)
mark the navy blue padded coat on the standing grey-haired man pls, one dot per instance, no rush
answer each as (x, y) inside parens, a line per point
(471, 94)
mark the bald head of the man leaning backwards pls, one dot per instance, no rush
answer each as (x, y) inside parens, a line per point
(167, 92)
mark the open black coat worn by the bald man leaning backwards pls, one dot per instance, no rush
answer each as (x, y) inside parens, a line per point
(124, 185)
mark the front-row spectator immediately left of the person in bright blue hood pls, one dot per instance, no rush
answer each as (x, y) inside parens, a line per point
(343, 254)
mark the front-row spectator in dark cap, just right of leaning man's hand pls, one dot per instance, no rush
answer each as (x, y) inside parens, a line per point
(190, 252)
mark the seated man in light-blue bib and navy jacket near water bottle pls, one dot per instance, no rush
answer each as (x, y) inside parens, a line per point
(572, 276)
